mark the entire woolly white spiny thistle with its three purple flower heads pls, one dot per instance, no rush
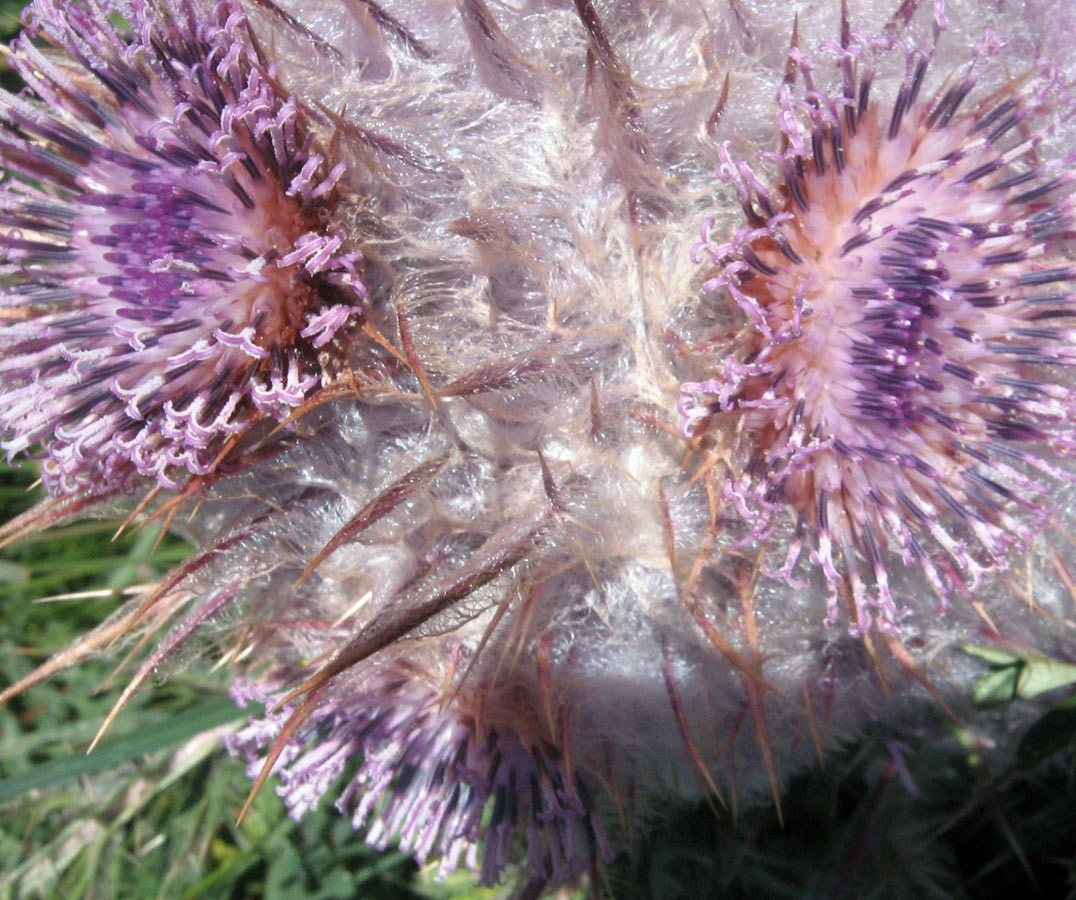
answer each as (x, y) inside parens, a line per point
(579, 406)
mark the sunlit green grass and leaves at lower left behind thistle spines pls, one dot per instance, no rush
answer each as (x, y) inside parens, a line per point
(151, 812)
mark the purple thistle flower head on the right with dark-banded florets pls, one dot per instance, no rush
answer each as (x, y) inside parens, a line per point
(900, 387)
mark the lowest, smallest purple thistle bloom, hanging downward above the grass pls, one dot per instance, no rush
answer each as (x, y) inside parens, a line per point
(431, 780)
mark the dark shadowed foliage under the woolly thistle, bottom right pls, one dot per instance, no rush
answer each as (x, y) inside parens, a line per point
(881, 822)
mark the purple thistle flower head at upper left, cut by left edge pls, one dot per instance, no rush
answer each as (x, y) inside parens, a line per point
(169, 272)
